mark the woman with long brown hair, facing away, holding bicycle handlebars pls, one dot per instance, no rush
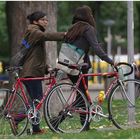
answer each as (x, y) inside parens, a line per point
(82, 34)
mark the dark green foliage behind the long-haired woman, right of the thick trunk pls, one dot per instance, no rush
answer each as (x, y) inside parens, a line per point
(103, 10)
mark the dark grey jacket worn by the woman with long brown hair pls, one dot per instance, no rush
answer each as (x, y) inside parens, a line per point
(89, 40)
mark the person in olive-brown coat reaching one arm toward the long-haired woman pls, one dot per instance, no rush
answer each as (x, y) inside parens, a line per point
(34, 64)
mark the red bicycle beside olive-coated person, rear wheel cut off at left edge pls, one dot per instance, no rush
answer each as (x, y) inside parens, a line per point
(15, 106)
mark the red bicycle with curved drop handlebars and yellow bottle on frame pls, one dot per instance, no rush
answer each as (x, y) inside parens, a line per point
(73, 110)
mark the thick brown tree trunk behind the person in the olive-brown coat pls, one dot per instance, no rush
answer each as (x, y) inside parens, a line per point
(17, 12)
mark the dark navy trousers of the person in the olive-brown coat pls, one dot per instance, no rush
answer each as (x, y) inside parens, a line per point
(34, 88)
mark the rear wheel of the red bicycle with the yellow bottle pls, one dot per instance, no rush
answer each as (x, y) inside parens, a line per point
(66, 109)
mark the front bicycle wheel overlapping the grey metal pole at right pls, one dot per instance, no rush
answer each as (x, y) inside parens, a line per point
(123, 107)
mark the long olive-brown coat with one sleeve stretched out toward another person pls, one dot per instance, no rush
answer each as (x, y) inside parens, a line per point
(35, 60)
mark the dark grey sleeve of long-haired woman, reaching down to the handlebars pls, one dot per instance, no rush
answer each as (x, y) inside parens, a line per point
(90, 35)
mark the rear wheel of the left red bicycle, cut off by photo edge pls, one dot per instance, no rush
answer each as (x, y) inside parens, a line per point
(12, 114)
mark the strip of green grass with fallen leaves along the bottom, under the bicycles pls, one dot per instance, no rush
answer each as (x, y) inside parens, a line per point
(99, 130)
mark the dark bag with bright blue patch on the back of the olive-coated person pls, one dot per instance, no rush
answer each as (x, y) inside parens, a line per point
(18, 59)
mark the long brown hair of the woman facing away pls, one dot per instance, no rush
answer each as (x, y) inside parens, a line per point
(82, 17)
